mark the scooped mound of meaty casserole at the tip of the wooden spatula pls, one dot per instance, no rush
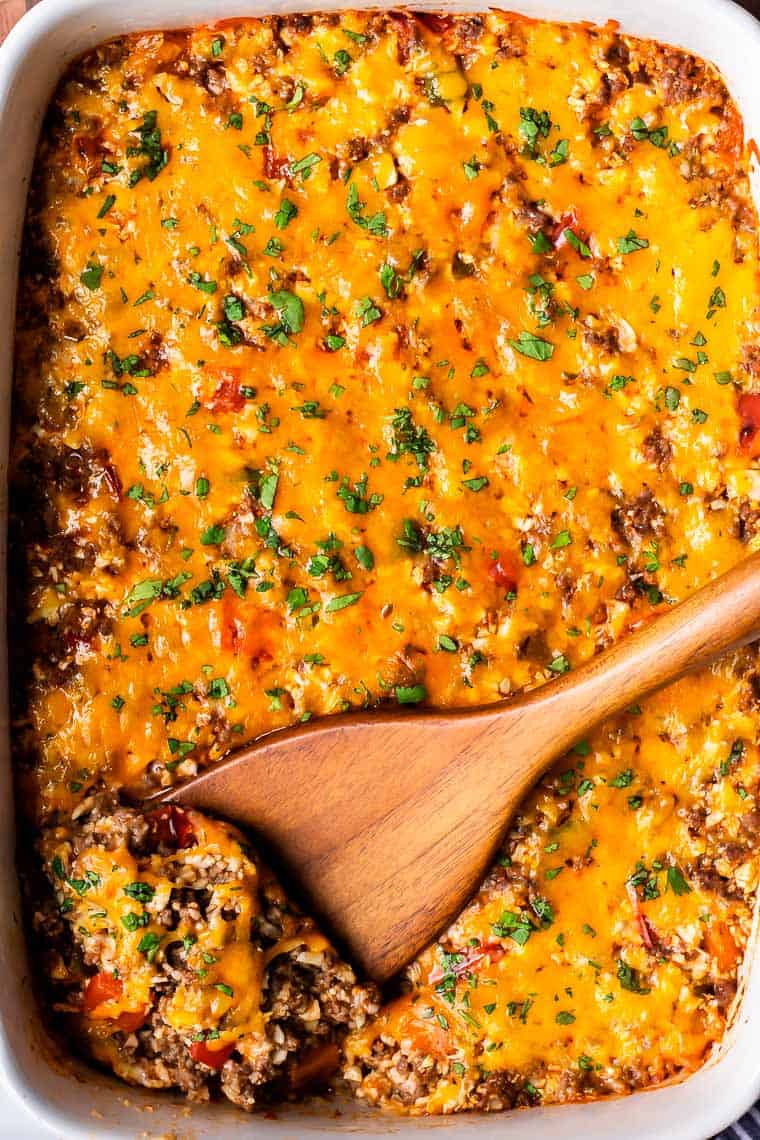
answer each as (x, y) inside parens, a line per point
(179, 962)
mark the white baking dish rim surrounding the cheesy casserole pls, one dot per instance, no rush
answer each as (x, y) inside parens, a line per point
(77, 1102)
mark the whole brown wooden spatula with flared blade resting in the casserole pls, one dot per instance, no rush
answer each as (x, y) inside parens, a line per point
(390, 819)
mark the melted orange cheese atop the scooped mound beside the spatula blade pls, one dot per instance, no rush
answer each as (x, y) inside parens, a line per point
(128, 900)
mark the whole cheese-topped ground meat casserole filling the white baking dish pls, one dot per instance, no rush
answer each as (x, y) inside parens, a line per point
(382, 357)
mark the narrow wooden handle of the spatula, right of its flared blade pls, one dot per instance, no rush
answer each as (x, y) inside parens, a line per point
(722, 616)
